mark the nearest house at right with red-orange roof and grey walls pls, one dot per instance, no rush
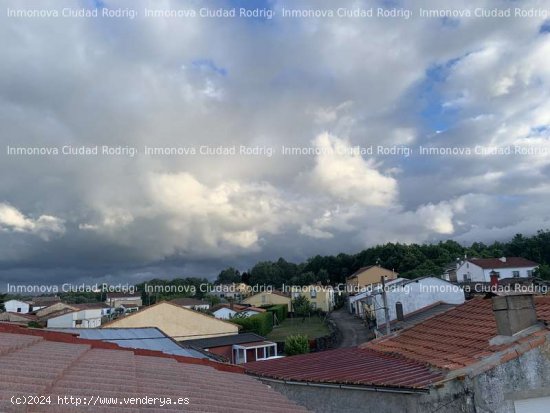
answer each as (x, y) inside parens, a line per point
(486, 355)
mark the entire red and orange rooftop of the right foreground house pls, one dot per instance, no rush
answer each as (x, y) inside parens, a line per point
(415, 357)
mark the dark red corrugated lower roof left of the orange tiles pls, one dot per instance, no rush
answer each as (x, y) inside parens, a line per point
(352, 366)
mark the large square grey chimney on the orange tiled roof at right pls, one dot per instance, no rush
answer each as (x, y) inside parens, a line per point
(514, 313)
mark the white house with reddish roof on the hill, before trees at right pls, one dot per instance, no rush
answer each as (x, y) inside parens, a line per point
(480, 269)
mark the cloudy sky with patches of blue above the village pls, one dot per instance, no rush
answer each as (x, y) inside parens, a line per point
(325, 84)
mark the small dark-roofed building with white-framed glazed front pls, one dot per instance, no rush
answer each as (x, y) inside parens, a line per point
(239, 348)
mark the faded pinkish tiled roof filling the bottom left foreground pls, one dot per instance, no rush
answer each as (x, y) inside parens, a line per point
(38, 363)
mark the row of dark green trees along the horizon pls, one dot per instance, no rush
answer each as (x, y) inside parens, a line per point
(409, 260)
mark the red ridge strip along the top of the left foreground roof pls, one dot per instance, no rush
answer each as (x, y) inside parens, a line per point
(71, 338)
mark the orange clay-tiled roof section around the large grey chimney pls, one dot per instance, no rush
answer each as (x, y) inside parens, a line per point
(454, 339)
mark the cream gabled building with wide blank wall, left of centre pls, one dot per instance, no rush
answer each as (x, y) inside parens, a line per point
(177, 322)
